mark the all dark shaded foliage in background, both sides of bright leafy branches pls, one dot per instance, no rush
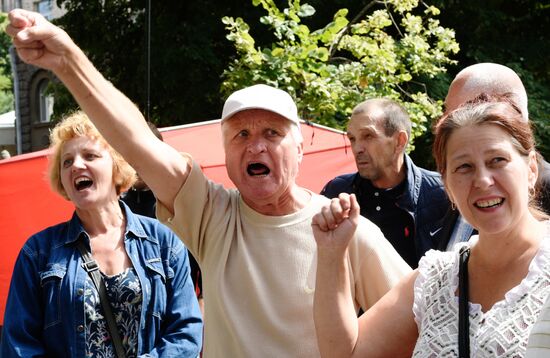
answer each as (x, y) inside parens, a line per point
(190, 52)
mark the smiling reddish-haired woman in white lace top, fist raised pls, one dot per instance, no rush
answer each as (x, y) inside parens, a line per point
(485, 153)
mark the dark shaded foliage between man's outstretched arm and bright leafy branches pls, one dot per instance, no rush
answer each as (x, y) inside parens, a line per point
(188, 52)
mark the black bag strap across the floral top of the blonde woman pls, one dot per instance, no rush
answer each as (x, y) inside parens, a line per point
(91, 267)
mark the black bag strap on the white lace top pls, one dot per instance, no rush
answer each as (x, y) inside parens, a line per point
(463, 311)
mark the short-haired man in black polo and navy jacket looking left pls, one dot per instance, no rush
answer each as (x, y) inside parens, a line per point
(406, 202)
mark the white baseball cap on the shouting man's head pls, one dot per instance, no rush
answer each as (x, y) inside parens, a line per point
(261, 97)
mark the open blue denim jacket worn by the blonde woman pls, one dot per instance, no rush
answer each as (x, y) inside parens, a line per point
(45, 308)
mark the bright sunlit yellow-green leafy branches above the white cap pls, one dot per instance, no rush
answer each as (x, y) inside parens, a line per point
(382, 52)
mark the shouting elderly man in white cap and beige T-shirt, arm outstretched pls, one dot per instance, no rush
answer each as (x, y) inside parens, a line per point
(255, 245)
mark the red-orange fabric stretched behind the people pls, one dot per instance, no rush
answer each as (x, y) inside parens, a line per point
(28, 204)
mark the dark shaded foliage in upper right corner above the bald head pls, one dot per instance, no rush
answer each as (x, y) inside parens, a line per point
(514, 33)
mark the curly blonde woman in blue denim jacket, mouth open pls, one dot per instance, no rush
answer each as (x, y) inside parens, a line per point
(53, 307)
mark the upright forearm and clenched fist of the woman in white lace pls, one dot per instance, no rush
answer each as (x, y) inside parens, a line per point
(334, 312)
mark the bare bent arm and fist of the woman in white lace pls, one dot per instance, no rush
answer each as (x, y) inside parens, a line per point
(387, 329)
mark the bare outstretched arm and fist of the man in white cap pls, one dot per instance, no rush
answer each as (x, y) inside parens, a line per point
(43, 44)
